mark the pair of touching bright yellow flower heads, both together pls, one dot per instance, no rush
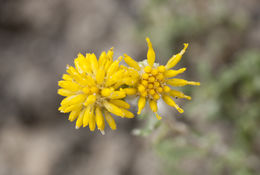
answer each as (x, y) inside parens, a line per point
(96, 88)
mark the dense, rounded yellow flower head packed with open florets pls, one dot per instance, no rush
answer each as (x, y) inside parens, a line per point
(93, 90)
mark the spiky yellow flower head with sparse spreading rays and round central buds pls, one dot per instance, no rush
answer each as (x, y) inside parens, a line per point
(155, 80)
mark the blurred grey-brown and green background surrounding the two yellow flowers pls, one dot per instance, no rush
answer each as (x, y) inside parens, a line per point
(217, 134)
